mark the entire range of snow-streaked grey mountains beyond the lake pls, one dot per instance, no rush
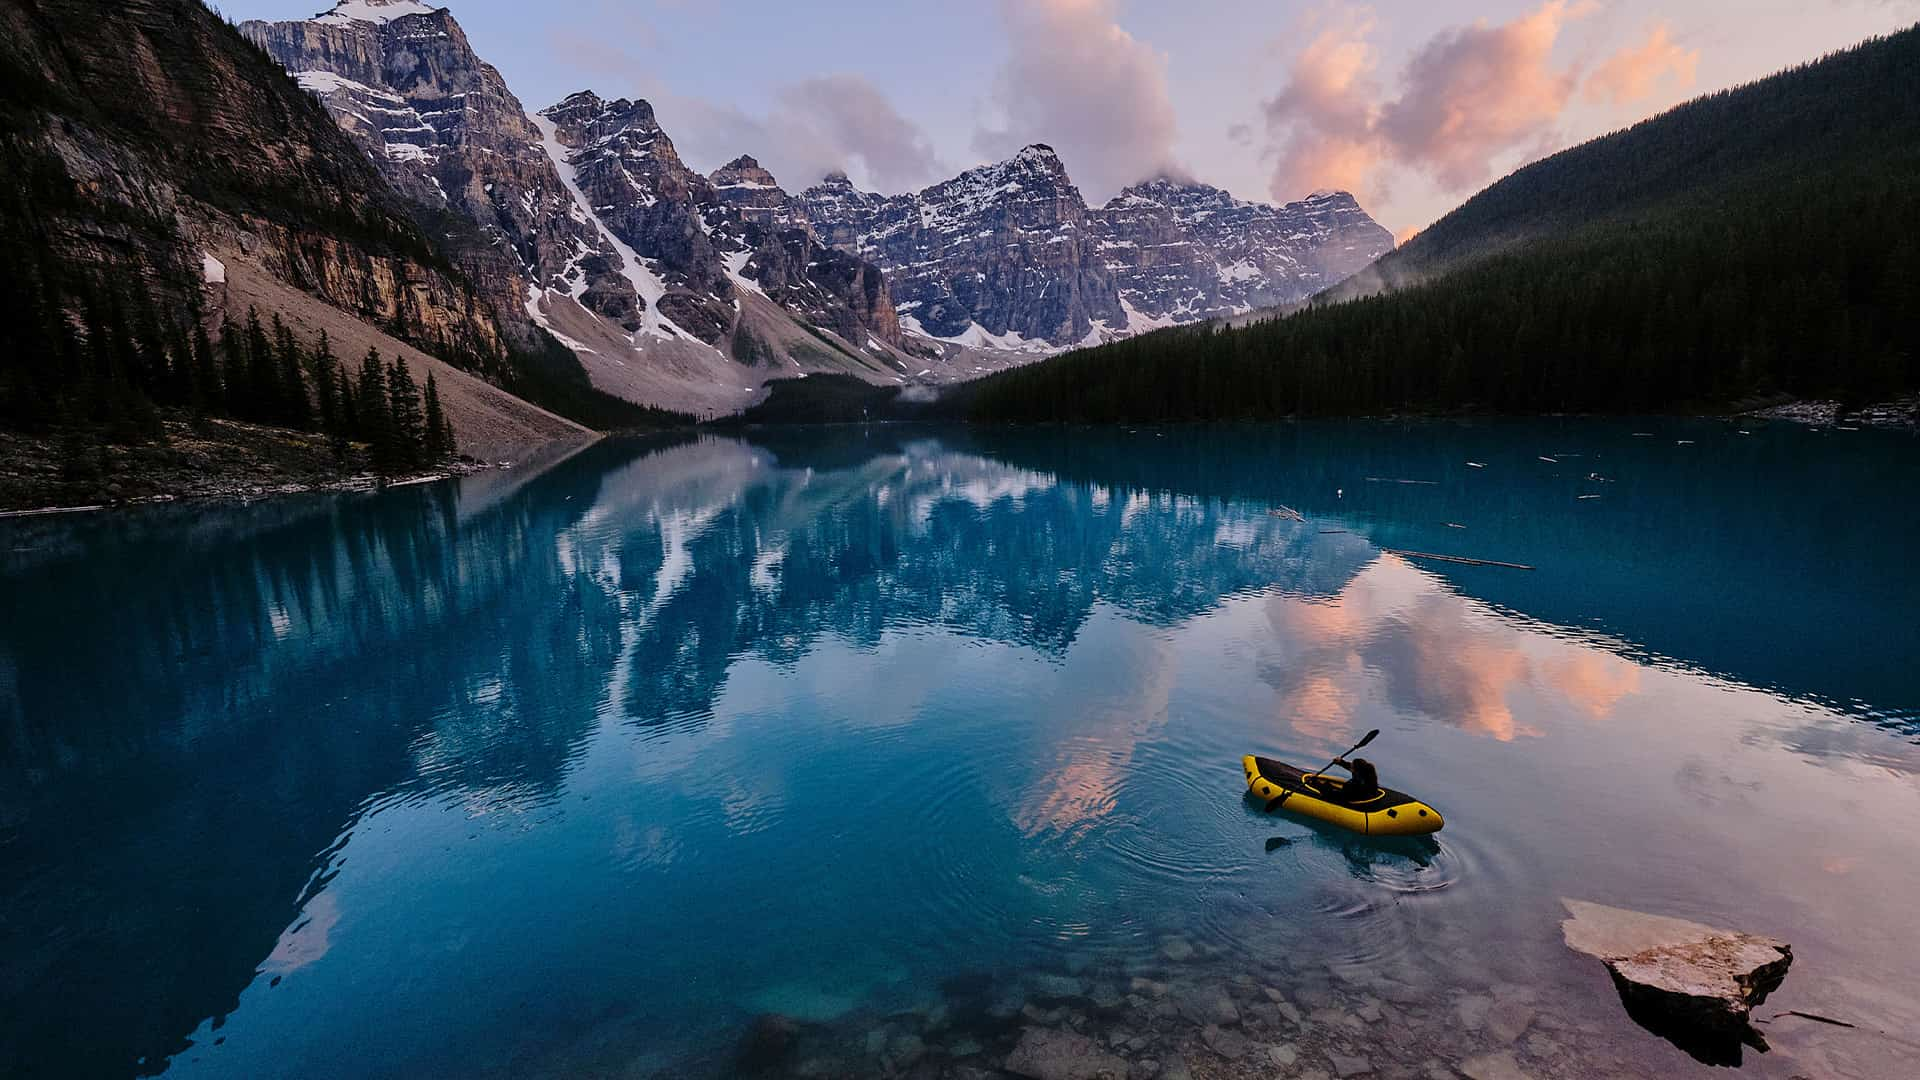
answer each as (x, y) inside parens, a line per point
(692, 291)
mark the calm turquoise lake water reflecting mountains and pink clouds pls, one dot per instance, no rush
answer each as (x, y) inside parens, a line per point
(583, 768)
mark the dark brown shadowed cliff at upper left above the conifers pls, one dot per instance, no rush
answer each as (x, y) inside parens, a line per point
(176, 149)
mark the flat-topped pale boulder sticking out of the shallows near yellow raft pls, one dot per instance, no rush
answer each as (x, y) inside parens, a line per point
(1681, 977)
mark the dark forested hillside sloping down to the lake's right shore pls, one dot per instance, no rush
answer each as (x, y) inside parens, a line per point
(1758, 241)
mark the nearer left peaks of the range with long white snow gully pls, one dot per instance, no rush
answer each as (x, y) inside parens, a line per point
(585, 205)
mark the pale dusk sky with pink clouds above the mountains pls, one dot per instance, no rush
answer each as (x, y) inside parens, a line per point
(1410, 105)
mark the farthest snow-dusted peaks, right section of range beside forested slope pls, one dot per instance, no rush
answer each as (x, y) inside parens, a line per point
(1011, 257)
